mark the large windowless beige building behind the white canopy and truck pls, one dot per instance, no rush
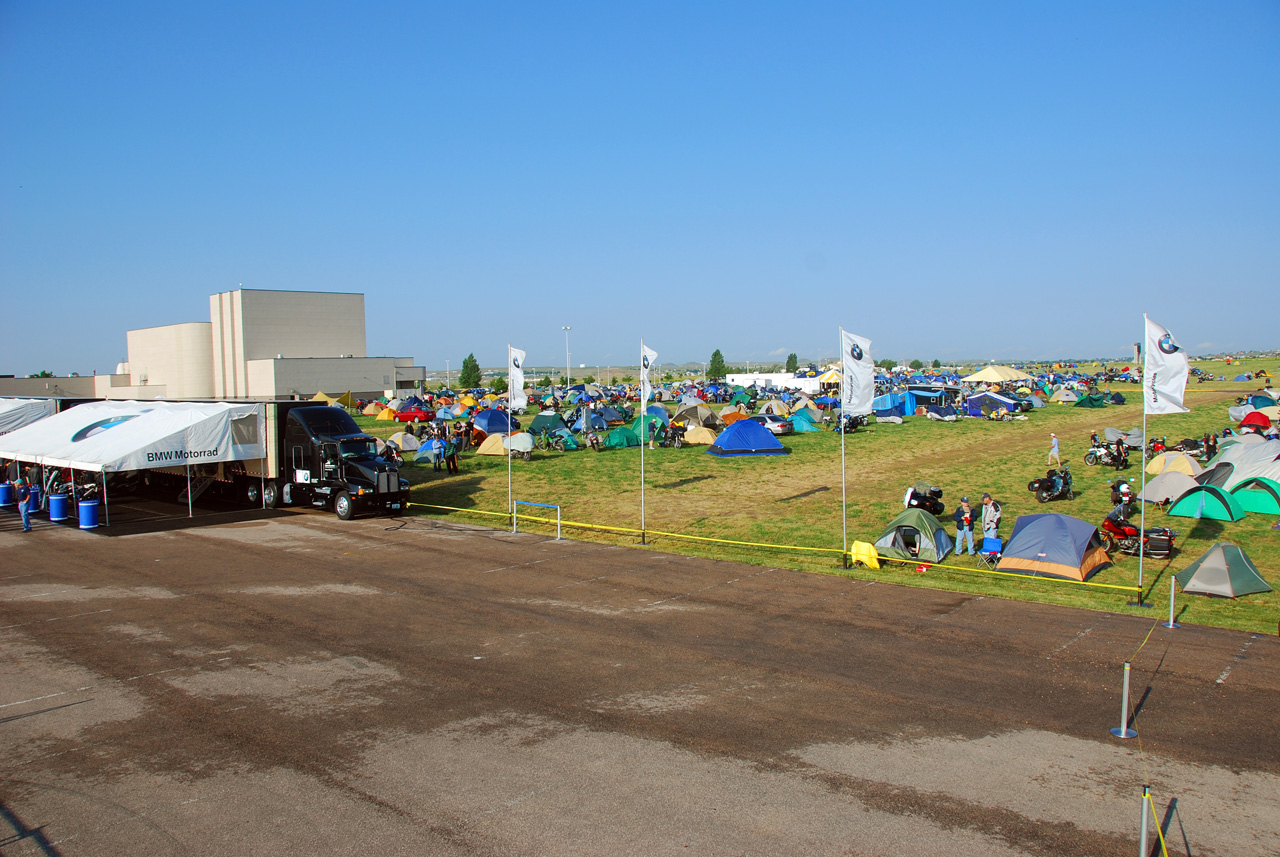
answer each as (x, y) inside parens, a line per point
(258, 345)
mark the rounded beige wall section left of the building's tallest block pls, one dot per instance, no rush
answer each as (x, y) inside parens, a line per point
(176, 358)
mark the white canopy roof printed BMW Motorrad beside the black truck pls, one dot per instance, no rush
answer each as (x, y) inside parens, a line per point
(140, 436)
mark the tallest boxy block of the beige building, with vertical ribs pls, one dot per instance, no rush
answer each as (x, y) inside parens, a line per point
(253, 326)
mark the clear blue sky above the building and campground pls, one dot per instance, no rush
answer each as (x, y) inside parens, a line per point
(1011, 181)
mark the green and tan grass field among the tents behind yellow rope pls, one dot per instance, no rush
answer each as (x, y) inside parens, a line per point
(797, 499)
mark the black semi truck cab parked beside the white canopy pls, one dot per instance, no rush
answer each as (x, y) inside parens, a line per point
(318, 456)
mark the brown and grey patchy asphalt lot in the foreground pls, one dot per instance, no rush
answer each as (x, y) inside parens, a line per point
(295, 685)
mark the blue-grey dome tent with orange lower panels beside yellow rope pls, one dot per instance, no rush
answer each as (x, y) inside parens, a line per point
(1054, 546)
